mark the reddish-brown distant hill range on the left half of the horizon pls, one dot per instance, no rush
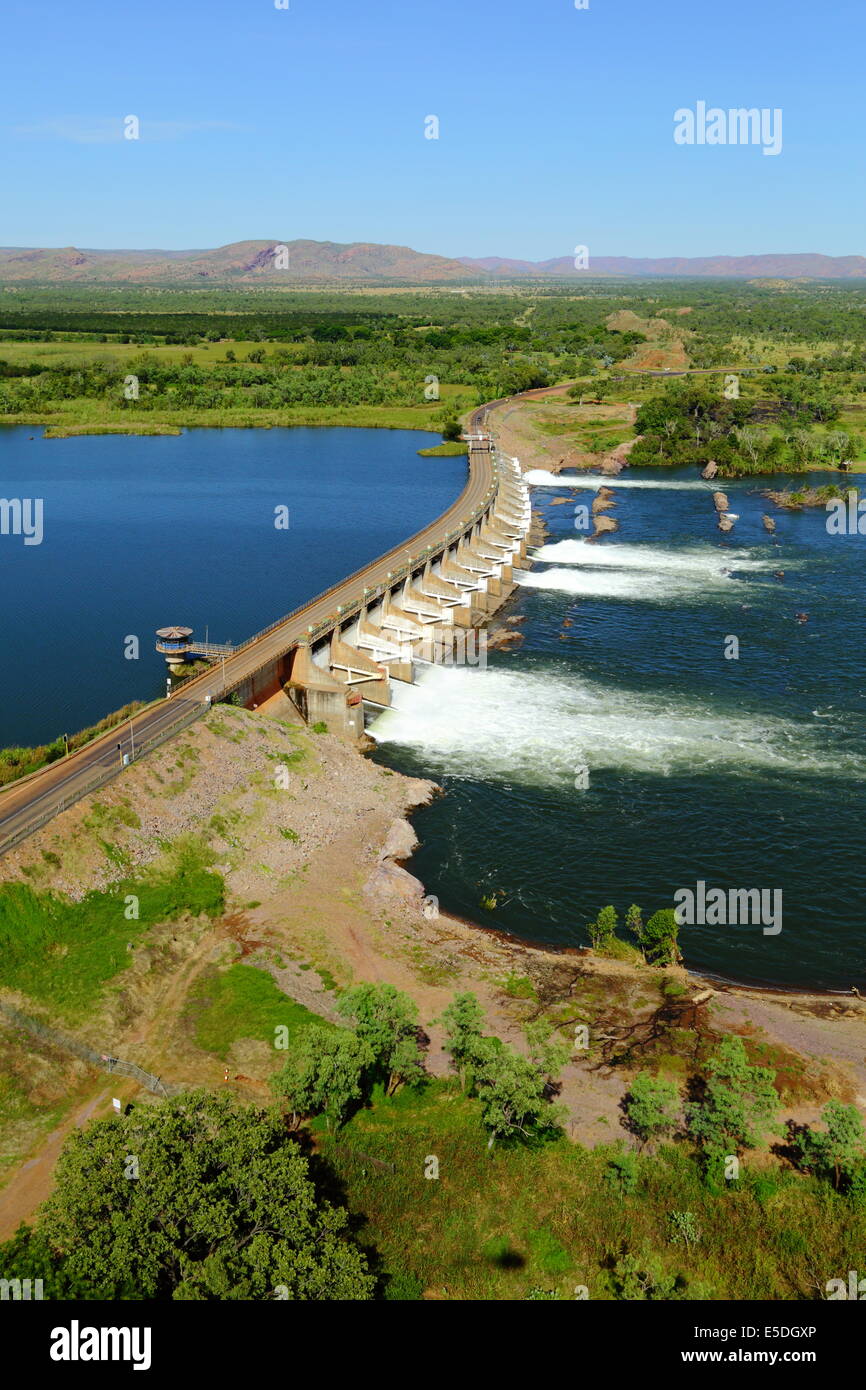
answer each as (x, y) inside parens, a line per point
(241, 263)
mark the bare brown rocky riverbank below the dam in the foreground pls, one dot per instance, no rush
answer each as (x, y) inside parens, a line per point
(319, 899)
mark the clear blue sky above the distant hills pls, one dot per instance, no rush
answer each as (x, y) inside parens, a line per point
(557, 124)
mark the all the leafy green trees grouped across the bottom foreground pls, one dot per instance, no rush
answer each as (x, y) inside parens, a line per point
(201, 1197)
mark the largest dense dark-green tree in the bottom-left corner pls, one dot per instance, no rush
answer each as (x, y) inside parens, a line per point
(198, 1199)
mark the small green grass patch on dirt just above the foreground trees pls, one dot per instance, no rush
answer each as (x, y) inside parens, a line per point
(243, 1003)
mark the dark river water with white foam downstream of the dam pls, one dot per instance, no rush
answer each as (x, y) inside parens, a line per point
(739, 772)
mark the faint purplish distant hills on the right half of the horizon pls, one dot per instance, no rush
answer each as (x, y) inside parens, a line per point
(807, 266)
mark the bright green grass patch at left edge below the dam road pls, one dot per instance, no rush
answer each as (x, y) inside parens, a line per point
(62, 954)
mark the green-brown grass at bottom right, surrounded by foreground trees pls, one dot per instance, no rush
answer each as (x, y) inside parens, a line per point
(493, 1227)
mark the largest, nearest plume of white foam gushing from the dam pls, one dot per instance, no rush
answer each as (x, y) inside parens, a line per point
(541, 729)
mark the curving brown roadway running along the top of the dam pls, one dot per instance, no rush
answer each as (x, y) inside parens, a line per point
(31, 803)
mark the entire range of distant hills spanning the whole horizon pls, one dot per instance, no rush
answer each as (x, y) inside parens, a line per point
(251, 263)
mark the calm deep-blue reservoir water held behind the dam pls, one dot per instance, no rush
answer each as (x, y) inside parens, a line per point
(141, 533)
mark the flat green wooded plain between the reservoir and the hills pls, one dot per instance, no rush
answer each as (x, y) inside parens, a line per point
(156, 361)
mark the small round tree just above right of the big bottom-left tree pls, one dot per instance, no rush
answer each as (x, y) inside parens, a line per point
(325, 1074)
